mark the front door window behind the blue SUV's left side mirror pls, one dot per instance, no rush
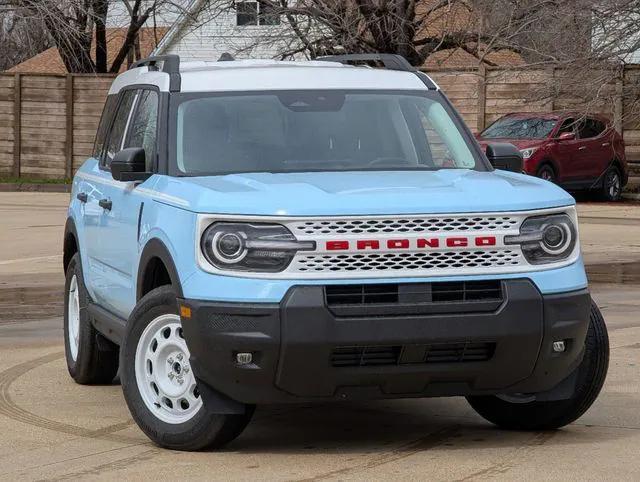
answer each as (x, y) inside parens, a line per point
(144, 125)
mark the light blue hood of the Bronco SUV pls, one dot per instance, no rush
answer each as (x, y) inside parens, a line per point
(360, 193)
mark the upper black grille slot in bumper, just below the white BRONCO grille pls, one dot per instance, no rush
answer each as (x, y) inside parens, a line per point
(455, 291)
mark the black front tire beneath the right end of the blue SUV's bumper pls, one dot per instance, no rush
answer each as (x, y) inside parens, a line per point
(514, 415)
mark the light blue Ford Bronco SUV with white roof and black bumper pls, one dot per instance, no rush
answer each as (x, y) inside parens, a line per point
(258, 232)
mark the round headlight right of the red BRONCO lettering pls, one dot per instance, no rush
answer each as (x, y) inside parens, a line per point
(546, 239)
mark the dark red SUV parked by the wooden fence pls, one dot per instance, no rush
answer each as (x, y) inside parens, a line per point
(567, 148)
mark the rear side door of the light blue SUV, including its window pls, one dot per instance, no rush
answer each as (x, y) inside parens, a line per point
(106, 273)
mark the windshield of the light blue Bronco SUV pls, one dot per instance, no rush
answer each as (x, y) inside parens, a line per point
(293, 131)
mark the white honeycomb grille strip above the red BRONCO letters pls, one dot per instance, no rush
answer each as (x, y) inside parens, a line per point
(405, 225)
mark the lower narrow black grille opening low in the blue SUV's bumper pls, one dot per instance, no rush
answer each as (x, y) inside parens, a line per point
(400, 355)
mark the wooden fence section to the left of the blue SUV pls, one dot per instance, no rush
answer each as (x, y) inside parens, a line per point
(48, 122)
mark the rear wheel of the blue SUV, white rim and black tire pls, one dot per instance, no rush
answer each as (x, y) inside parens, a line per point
(91, 358)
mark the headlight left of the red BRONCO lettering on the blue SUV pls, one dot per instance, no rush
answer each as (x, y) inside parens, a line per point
(250, 247)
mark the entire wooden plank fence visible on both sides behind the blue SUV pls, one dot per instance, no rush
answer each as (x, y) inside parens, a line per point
(47, 122)
